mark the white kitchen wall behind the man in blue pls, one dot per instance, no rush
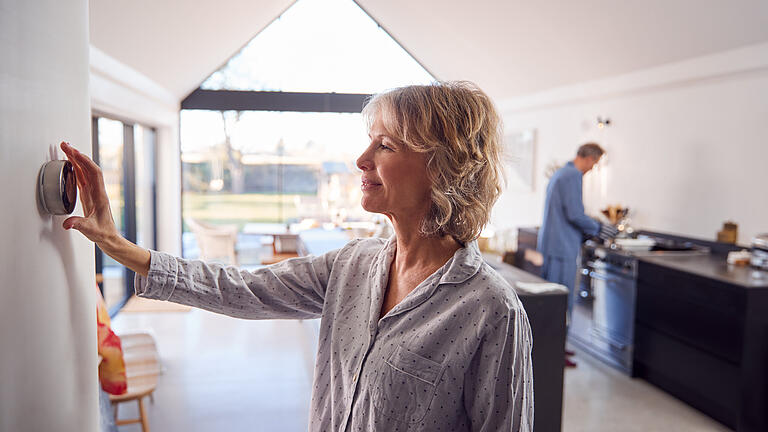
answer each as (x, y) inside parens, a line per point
(687, 148)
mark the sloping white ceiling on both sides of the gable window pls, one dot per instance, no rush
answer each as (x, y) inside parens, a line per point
(509, 47)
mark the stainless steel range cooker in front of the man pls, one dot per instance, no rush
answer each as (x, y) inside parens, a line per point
(602, 321)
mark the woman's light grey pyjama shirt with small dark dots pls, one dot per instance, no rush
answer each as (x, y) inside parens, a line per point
(453, 355)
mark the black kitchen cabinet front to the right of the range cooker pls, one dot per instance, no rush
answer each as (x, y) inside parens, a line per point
(704, 341)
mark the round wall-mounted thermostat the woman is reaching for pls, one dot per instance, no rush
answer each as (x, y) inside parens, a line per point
(57, 185)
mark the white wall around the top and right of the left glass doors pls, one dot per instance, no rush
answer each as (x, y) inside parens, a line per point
(119, 91)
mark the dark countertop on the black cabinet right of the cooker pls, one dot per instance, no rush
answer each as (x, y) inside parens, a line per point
(713, 267)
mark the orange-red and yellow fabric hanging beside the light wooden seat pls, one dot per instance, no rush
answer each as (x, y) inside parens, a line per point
(112, 365)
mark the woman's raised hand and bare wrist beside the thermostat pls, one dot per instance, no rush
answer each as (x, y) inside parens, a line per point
(97, 223)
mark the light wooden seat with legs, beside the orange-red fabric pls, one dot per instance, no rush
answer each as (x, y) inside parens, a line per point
(142, 368)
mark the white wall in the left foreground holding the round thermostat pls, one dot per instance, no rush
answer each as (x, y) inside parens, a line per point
(48, 360)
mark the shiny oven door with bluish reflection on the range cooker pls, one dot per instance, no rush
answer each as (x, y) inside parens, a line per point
(613, 315)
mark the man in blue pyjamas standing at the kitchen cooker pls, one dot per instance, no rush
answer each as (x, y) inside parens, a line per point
(565, 224)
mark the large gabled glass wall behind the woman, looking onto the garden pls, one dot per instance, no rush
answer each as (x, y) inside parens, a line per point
(269, 147)
